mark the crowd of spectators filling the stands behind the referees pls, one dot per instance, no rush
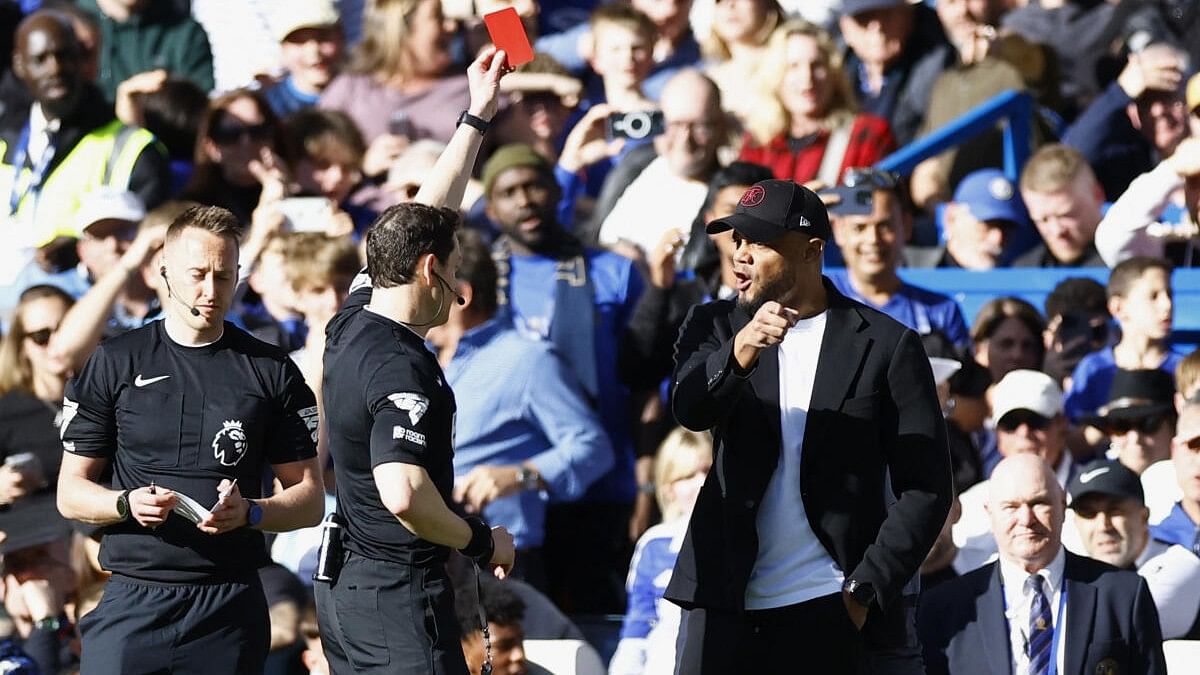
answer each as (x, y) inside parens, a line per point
(584, 249)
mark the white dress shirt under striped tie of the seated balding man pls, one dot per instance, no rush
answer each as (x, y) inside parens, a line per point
(1018, 601)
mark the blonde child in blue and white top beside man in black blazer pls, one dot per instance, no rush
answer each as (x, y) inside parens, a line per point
(649, 634)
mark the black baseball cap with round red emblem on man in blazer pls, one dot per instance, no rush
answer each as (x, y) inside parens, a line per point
(772, 208)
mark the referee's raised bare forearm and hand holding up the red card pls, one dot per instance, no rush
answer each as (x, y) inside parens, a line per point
(448, 181)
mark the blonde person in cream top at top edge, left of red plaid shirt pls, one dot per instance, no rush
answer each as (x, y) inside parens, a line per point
(735, 49)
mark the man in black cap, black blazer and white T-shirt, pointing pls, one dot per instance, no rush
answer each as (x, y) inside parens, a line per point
(831, 477)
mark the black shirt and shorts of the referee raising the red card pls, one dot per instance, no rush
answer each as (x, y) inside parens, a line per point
(392, 608)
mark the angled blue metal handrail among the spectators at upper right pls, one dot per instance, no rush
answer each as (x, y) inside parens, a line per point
(1016, 107)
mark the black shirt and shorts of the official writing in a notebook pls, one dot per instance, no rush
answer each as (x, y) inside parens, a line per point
(185, 419)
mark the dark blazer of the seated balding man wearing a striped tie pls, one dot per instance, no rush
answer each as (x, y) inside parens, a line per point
(1112, 623)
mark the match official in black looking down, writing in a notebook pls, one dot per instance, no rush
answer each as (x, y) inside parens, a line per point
(188, 408)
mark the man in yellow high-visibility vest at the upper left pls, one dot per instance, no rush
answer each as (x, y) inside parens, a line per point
(67, 145)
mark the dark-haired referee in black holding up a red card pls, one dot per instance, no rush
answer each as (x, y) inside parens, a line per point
(391, 419)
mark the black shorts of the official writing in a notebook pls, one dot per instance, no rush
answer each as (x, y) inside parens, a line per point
(203, 629)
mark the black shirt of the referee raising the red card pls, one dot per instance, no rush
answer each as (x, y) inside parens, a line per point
(386, 402)
